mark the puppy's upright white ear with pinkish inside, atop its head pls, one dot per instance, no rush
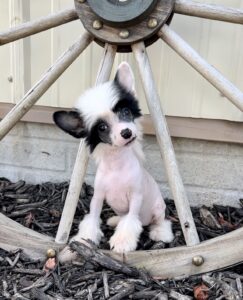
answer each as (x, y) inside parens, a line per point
(125, 77)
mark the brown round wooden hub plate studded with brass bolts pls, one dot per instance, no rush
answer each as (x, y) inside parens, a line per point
(138, 32)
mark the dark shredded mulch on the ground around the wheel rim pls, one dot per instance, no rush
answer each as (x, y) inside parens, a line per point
(39, 207)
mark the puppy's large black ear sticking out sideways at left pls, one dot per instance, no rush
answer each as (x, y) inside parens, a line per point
(70, 122)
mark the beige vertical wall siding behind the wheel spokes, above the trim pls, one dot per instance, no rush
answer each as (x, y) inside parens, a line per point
(183, 92)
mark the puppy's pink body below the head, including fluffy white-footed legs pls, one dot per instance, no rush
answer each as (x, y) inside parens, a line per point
(132, 193)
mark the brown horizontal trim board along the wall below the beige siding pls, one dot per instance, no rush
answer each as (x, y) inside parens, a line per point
(194, 128)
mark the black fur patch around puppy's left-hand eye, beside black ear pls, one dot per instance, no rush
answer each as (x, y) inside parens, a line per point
(99, 133)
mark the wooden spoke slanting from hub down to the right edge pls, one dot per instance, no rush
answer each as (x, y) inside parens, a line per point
(204, 68)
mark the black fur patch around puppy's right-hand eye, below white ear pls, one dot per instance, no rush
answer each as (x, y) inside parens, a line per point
(128, 101)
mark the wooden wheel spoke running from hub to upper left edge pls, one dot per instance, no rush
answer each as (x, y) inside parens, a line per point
(33, 27)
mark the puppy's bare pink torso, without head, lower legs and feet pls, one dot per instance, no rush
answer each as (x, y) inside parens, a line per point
(127, 187)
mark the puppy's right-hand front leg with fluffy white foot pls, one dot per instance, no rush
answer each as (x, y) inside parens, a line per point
(129, 228)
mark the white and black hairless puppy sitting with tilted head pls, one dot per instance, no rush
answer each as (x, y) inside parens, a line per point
(108, 118)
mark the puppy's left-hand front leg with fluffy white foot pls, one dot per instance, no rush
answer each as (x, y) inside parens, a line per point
(89, 227)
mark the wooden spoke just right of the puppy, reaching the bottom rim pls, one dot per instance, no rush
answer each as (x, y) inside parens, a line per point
(165, 144)
